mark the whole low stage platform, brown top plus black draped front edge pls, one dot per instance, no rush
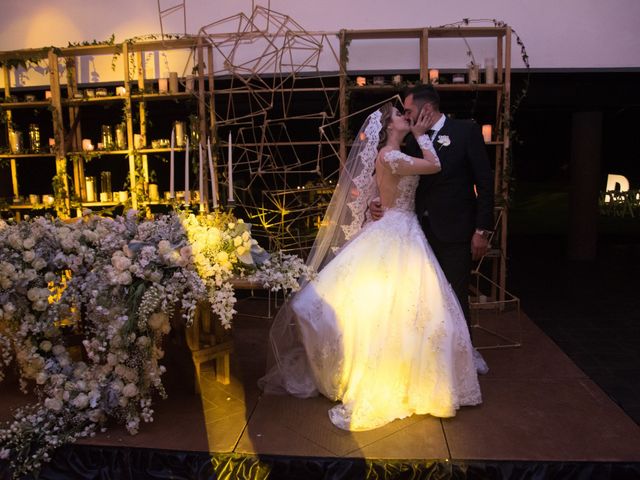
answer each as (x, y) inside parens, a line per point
(542, 417)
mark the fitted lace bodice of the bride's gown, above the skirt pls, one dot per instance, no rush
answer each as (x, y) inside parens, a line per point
(397, 191)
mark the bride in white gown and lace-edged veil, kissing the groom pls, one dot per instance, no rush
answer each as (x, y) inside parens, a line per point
(379, 329)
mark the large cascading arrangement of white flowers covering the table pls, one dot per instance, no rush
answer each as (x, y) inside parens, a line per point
(115, 283)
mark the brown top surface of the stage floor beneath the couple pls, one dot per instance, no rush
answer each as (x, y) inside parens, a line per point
(538, 407)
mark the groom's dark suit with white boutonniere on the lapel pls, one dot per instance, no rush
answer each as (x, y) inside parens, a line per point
(446, 202)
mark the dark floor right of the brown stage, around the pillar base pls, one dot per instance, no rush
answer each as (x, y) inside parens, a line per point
(590, 309)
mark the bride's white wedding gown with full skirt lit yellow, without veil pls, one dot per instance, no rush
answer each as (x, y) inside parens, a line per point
(382, 329)
